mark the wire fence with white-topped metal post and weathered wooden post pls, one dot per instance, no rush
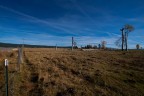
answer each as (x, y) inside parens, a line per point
(11, 72)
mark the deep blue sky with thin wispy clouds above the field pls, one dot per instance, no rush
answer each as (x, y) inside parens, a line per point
(51, 22)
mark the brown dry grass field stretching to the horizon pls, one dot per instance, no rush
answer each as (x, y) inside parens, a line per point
(47, 72)
